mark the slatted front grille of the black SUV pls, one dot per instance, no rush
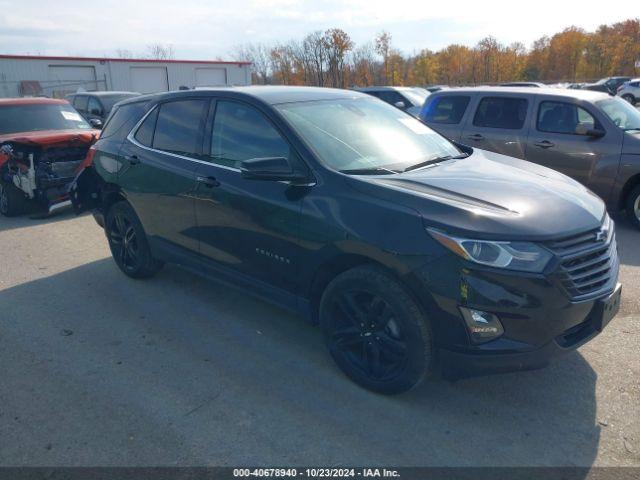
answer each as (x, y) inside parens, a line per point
(588, 261)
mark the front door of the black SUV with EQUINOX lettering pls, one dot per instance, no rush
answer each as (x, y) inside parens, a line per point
(248, 226)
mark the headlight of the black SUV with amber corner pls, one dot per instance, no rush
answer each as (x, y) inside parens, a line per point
(523, 256)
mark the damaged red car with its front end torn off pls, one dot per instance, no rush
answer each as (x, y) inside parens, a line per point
(43, 144)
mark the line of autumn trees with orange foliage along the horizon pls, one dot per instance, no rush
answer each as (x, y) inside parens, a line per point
(332, 59)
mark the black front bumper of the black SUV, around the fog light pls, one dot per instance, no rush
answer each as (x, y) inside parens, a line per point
(541, 320)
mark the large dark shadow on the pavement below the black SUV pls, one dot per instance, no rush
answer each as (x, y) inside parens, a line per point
(182, 370)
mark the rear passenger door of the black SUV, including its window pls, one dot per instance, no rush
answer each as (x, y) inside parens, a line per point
(159, 161)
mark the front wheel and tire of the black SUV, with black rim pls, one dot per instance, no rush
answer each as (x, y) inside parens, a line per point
(375, 331)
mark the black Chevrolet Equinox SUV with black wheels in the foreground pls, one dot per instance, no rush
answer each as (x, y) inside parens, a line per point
(413, 253)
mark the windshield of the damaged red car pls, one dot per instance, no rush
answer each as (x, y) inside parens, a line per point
(37, 117)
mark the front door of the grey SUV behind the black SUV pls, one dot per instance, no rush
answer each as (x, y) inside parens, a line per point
(558, 140)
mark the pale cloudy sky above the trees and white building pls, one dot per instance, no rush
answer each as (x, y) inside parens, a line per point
(211, 29)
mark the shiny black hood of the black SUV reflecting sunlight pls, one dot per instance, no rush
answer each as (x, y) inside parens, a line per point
(491, 196)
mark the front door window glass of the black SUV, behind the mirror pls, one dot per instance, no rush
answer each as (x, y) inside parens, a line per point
(241, 132)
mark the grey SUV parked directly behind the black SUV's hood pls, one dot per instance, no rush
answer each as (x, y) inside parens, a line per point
(589, 136)
